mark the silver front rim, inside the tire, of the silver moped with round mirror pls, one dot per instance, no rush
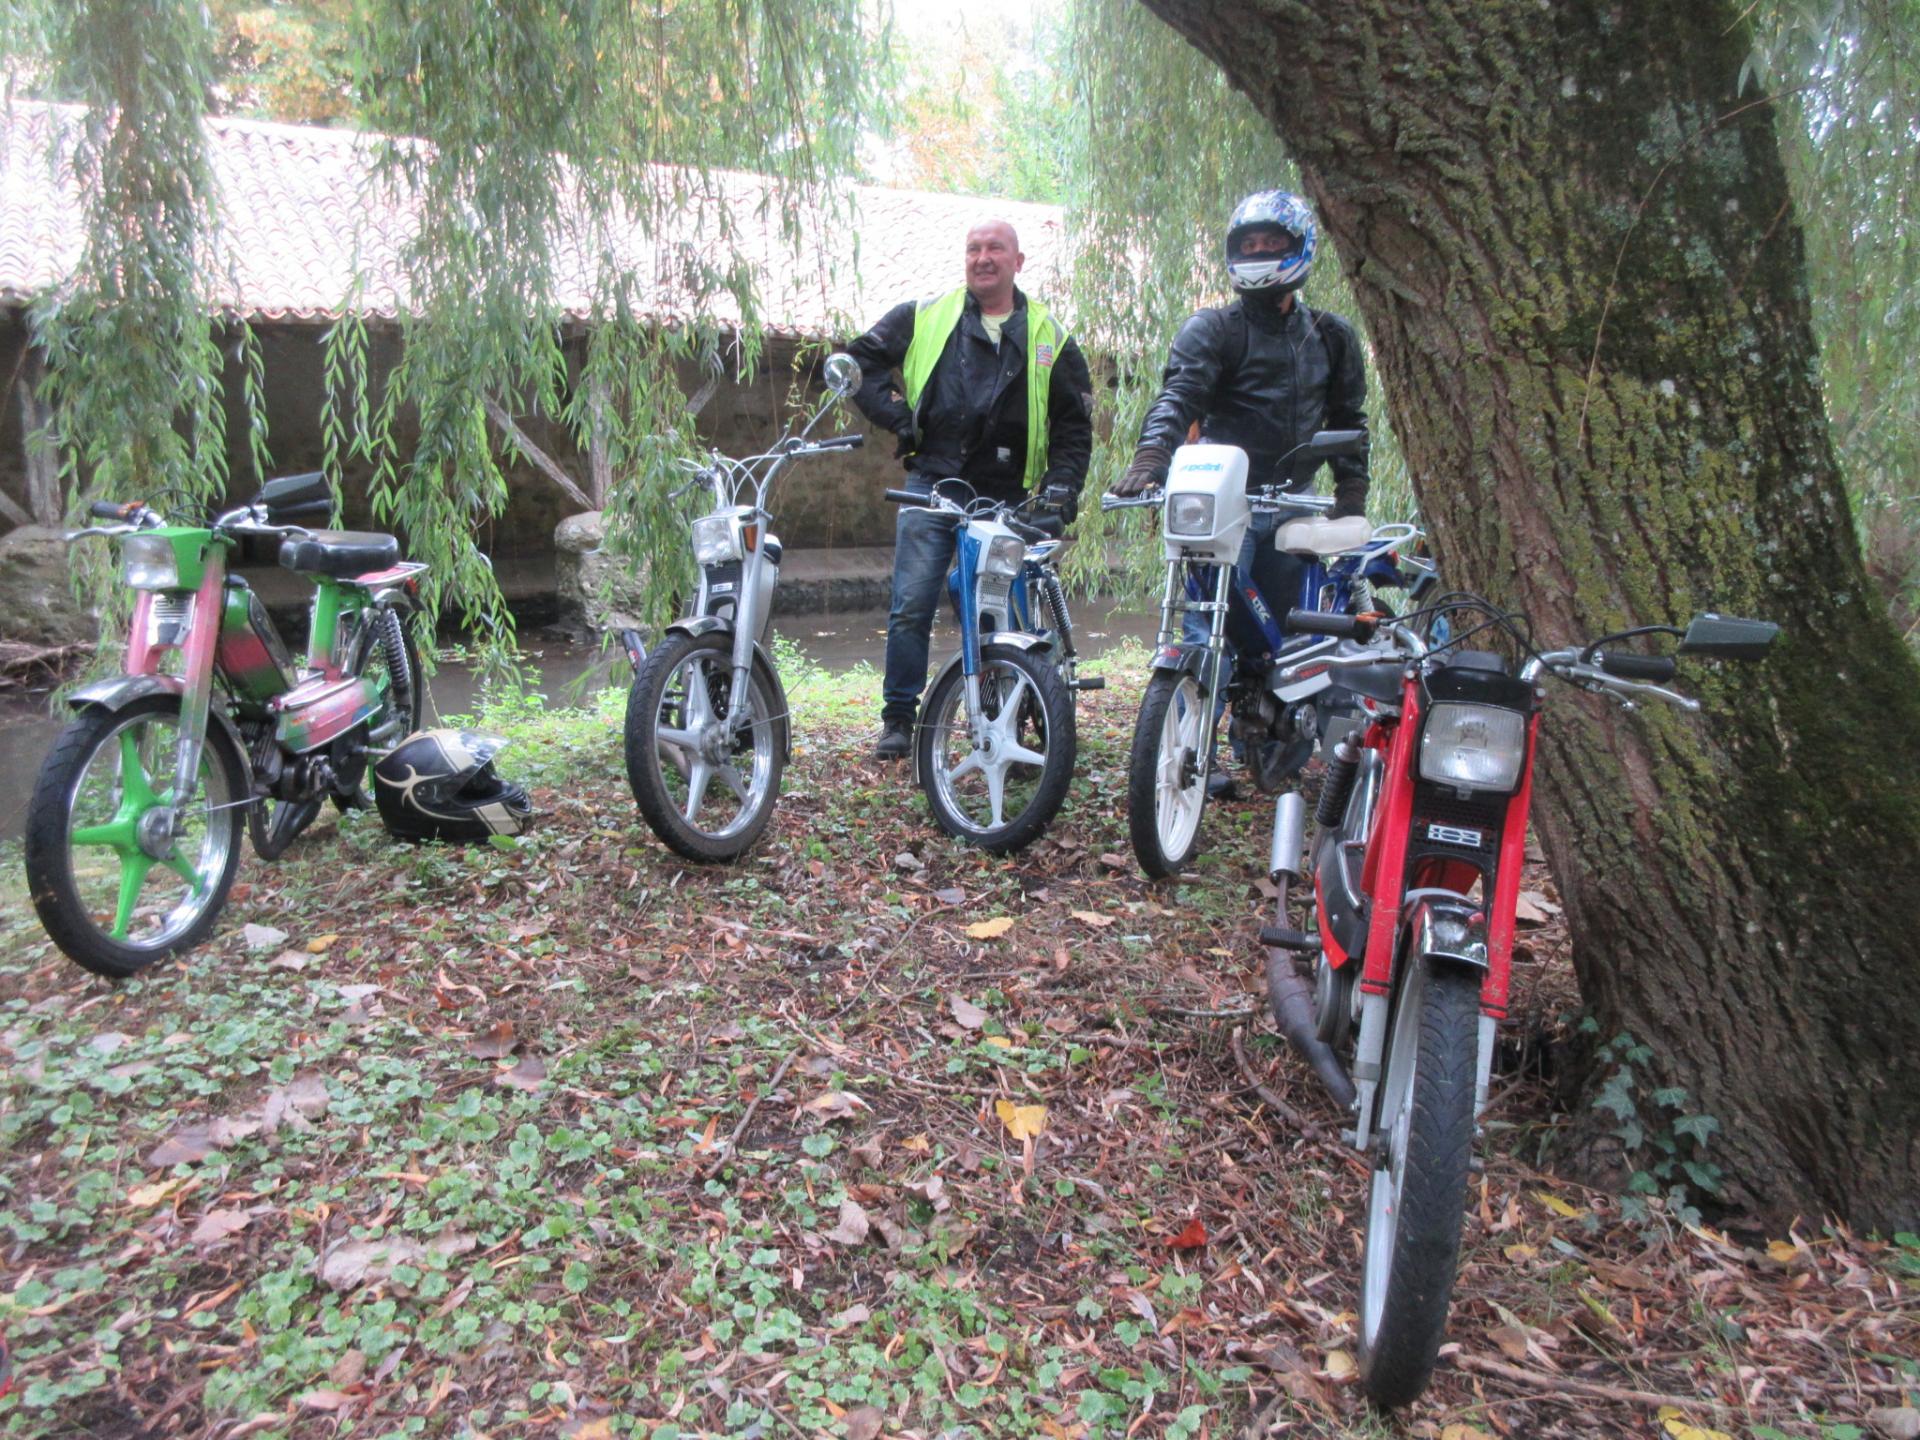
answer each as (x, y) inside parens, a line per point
(715, 777)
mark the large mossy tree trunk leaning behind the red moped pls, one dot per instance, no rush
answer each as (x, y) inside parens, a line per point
(1575, 252)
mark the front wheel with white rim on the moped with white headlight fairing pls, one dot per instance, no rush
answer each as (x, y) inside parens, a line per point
(1166, 773)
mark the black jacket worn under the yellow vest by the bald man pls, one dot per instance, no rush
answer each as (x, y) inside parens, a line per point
(974, 410)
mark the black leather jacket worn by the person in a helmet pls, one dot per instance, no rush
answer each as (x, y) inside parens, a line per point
(1266, 383)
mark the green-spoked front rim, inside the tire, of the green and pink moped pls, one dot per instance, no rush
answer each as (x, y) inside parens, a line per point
(135, 888)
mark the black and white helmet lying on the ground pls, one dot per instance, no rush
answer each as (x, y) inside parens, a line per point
(441, 784)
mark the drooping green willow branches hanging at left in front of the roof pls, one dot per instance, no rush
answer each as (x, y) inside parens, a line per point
(517, 122)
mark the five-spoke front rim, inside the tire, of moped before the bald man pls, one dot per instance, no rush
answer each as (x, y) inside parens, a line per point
(988, 784)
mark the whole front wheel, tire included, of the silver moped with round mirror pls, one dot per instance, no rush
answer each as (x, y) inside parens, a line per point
(684, 684)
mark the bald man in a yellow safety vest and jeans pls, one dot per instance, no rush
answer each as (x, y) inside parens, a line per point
(980, 385)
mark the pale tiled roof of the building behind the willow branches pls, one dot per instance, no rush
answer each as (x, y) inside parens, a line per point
(297, 206)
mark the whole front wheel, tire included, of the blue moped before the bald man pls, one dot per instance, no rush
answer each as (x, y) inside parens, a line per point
(1034, 713)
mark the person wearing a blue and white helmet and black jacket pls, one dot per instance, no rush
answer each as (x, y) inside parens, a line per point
(1262, 373)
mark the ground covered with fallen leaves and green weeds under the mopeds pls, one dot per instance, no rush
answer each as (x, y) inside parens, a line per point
(867, 1136)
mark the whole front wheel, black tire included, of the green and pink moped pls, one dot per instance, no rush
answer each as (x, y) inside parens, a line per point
(80, 790)
